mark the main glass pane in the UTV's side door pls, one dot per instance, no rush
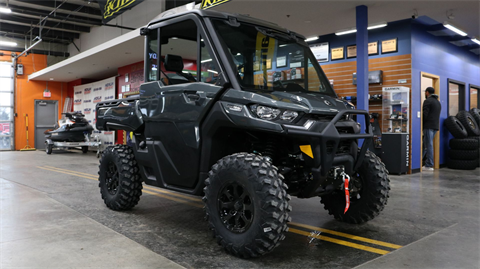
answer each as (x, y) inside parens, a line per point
(179, 53)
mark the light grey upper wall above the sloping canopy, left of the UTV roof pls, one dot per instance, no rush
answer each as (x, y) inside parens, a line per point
(136, 17)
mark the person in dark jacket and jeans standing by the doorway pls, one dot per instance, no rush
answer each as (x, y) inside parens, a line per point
(431, 117)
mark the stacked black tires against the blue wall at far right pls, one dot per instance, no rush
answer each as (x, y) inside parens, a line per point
(464, 152)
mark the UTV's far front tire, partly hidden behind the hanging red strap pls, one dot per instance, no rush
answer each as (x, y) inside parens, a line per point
(373, 195)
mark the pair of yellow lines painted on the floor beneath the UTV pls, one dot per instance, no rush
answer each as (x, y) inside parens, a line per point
(300, 232)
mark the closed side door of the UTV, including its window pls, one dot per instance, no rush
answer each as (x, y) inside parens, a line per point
(180, 86)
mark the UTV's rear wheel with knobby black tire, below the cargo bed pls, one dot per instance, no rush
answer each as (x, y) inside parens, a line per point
(119, 180)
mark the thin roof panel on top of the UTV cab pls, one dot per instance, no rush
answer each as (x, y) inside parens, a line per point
(181, 11)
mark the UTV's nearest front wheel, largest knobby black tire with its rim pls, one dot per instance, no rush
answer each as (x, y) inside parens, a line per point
(263, 215)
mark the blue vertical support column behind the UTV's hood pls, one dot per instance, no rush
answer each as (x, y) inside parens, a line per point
(362, 59)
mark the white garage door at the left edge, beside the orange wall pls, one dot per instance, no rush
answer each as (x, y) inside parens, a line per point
(6, 106)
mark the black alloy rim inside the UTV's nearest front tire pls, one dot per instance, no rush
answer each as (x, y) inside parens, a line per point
(235, 206)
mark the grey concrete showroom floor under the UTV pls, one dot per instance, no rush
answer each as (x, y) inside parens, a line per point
(52, 216)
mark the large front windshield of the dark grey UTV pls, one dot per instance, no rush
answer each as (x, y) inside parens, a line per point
(270, 60)
